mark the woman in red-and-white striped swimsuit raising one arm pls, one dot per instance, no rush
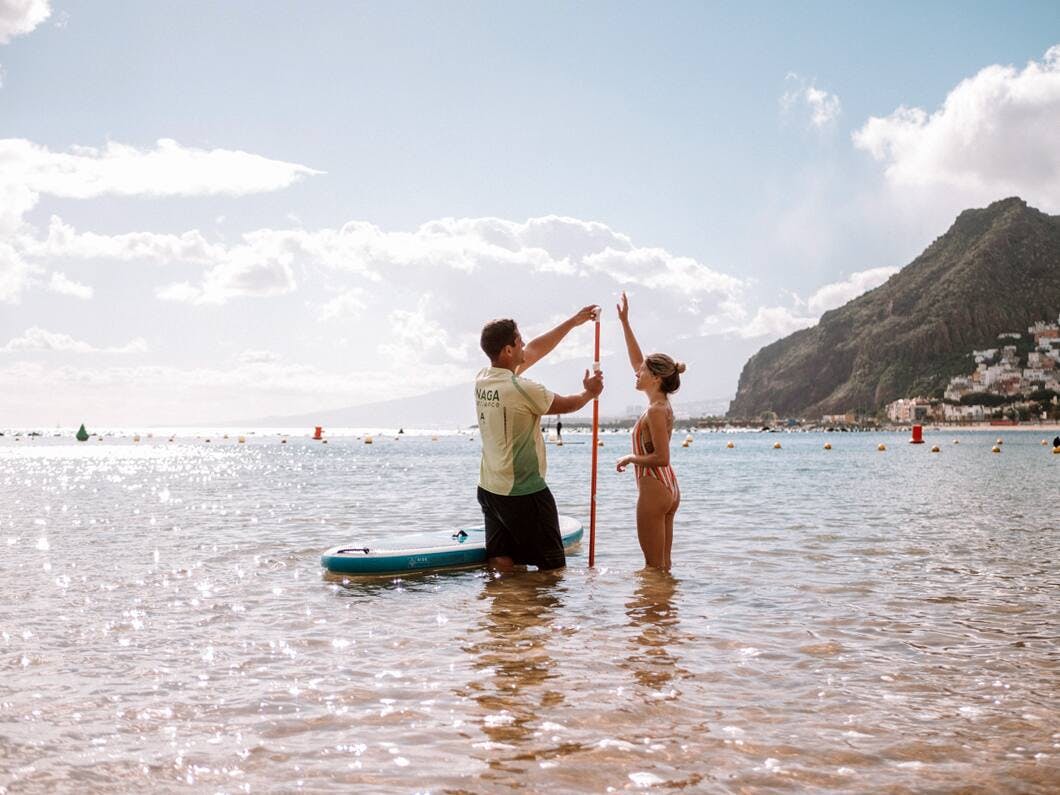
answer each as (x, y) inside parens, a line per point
(659, 497)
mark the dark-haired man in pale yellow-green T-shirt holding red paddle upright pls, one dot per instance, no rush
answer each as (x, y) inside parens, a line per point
(522, 523)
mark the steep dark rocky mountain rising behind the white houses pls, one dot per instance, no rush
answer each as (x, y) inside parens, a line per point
(996, 271)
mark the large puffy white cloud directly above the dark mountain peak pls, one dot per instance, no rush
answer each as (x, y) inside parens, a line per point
(996, 135)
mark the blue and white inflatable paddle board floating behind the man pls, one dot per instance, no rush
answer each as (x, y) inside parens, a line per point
(425, 551)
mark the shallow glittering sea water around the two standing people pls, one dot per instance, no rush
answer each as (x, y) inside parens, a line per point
(836, 622)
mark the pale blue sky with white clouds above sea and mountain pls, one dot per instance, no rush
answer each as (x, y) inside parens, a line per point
(248, 209)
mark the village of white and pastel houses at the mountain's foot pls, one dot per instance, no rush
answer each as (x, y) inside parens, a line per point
(1019, 380)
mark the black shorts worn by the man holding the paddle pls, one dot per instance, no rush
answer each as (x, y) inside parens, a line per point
(525, 528)
